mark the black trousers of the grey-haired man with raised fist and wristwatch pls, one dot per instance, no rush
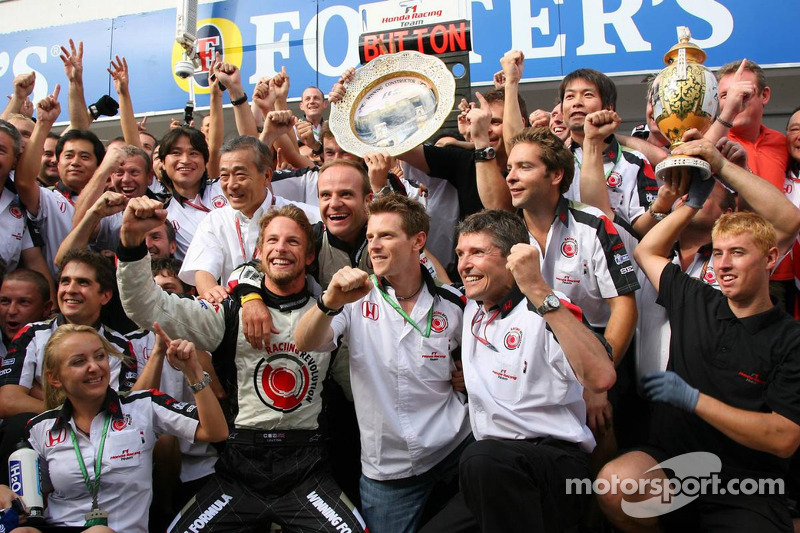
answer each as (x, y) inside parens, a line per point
(508, 485)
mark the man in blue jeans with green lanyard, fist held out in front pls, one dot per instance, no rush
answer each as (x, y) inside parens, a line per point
(403, 331)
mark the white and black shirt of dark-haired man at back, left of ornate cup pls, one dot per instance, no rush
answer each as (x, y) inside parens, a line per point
(630, 180)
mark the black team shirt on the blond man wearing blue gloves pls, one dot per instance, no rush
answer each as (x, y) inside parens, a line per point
(750, 363)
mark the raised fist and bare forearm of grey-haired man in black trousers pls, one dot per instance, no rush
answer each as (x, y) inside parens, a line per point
(586, 354)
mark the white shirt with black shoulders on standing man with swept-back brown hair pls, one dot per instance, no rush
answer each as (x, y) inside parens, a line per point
(586, 260)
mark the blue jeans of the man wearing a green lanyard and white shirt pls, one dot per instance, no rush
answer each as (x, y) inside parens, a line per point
(396, 505)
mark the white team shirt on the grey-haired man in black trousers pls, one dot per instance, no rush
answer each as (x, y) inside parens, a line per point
(520, 383)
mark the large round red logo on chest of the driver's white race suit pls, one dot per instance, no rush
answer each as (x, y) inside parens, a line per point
(283, 380)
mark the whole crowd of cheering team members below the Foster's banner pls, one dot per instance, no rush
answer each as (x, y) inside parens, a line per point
(265, 331)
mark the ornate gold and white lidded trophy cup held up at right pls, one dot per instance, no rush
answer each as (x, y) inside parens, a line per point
(684, 97)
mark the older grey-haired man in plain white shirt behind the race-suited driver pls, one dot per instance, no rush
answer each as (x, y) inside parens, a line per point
(227, 237)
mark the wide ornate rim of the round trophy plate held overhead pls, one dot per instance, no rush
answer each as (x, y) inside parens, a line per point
(429, 69)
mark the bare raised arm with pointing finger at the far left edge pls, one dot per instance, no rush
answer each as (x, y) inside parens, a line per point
(28, 166)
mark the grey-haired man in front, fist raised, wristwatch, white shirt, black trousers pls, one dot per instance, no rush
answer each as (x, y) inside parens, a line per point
(527, 360)
